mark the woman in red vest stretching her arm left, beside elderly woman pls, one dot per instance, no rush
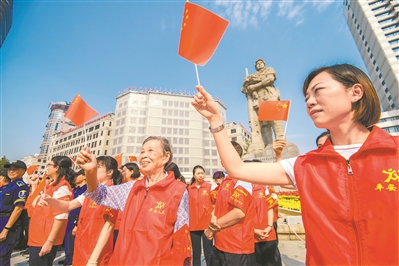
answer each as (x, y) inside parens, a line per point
(94, 235)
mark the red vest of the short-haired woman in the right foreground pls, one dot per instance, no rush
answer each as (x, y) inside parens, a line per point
(350, 208)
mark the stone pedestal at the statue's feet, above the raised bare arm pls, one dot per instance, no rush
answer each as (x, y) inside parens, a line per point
(268, 155)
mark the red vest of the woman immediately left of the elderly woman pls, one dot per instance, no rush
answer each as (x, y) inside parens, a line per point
(91, 222)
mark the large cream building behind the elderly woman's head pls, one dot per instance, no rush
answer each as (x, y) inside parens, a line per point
(140, 114)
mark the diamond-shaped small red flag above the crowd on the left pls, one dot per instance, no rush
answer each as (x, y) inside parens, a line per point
(79, 112)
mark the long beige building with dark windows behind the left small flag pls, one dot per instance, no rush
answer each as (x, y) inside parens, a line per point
(95, 134)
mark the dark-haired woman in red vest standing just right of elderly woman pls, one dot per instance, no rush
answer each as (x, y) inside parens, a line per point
(201, 209)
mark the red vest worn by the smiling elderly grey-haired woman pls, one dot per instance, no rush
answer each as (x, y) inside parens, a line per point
(146, 231)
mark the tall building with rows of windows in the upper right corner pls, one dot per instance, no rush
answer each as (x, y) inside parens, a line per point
(374, 25)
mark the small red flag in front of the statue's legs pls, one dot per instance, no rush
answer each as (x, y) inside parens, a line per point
(274, 110)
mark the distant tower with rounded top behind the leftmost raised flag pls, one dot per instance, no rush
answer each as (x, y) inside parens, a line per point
(56, 123)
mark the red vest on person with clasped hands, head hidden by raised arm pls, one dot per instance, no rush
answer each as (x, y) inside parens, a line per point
(238, 239)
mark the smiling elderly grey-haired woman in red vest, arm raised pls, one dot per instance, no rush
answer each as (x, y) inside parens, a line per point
(154, 228)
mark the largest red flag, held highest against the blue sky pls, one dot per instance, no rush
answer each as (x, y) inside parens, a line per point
(200, 34)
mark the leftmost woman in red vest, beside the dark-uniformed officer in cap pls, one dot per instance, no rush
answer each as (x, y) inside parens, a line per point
(47, 225)
